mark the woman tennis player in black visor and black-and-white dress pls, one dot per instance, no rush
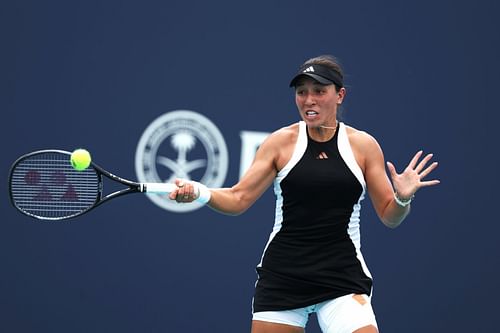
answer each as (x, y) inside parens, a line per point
(321, 170)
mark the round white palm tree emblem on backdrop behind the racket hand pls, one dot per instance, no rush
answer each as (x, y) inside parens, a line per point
(181, 144)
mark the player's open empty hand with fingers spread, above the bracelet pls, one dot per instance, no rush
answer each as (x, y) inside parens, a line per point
(410, 180)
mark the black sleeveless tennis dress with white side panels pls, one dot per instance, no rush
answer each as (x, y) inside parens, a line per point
(313, 253)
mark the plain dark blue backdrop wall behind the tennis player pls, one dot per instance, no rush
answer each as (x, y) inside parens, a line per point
(96, 74)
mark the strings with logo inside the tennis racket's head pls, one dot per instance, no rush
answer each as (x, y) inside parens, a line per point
(46, 185)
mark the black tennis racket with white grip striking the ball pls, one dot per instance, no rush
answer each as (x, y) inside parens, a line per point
(44, 185)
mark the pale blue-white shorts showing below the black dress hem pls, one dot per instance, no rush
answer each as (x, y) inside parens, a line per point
(341, 315)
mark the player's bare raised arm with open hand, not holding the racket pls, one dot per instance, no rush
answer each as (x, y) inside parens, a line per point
(392, 200)
